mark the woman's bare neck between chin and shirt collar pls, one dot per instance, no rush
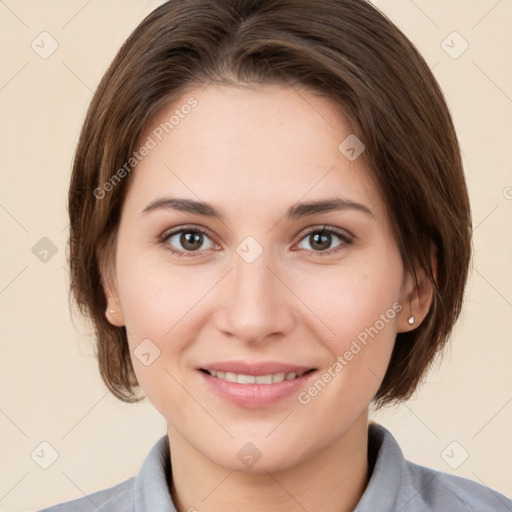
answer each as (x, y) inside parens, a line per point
(332, 480)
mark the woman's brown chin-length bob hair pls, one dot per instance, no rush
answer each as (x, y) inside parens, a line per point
(344, 50)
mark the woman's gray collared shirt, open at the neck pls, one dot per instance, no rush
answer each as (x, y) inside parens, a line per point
(396, 485)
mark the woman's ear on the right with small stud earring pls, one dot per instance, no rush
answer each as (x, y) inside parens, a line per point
(417, 296)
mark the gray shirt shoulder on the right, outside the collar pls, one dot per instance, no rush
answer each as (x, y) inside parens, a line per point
(438, 490)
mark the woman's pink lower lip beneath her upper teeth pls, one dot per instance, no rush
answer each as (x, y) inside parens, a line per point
(255, 395)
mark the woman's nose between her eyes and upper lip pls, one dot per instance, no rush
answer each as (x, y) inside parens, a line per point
(257, 304)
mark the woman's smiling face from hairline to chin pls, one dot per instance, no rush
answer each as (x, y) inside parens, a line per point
(262, 294)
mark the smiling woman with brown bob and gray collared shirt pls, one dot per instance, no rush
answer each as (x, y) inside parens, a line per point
(270, 230)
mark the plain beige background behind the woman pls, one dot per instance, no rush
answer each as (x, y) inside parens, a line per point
(50, 388)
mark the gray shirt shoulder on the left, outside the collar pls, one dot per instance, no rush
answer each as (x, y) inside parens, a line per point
(112, 499)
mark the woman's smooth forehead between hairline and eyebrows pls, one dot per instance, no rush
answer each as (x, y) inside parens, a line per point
(259, 145)
